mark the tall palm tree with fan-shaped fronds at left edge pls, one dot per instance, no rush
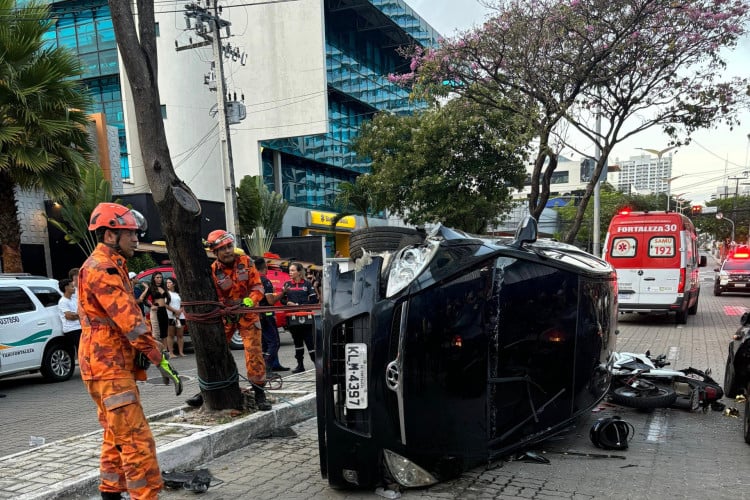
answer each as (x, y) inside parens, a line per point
(43, 136)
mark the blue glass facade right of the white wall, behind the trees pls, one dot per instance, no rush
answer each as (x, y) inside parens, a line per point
(361, 40)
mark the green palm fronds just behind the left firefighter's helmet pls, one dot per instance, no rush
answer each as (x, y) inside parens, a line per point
(75, 212)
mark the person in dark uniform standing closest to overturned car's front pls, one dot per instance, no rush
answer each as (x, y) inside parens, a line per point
(299, 291)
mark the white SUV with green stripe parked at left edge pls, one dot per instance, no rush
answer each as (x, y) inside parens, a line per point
(31, 336)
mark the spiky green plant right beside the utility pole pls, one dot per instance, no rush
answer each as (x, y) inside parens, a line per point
(261, 212)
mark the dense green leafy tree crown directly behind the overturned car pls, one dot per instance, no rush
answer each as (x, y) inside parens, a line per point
(455, 164)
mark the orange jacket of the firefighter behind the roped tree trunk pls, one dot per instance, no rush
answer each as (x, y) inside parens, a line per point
(237, 282)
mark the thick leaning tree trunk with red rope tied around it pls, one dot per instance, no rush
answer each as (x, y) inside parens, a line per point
(179, 209)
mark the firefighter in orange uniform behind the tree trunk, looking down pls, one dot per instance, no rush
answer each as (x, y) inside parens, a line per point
(238, 282)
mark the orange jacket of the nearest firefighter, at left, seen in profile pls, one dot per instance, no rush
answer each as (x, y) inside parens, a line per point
(113, 327)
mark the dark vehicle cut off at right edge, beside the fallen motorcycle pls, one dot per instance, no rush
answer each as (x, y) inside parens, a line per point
(737, 372)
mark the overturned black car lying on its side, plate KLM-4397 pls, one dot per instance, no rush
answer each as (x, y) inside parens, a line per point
(457, 351)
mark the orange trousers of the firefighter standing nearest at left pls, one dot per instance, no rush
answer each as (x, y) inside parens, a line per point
(128, 456)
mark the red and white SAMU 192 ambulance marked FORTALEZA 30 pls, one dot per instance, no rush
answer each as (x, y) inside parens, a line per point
(656, 258)
